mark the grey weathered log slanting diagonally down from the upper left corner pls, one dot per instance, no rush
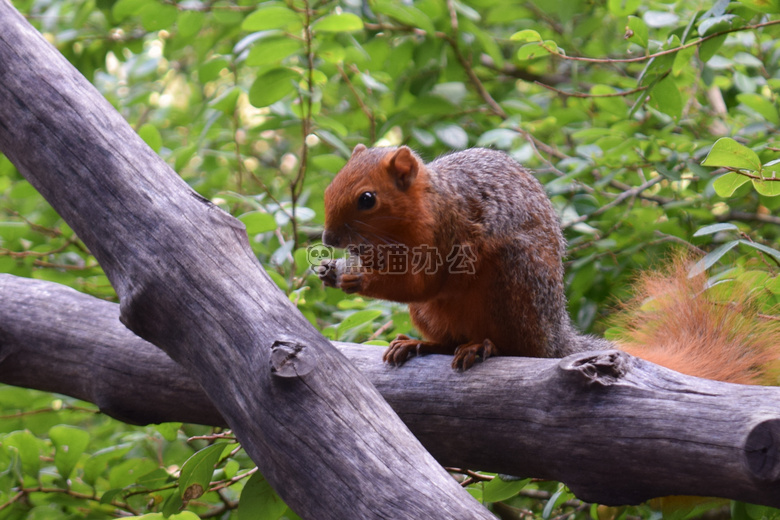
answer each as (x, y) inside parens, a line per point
(189, 283)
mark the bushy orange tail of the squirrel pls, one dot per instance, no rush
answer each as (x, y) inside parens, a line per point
(715, 333)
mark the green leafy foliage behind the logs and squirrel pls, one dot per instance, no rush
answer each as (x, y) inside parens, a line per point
(653, 126)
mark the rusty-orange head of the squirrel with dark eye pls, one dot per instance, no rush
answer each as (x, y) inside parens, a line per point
(376, 198)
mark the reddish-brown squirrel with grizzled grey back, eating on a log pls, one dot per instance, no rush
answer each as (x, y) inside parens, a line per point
(472, 243)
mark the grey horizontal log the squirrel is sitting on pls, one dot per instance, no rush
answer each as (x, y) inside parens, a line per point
(616, 429)
